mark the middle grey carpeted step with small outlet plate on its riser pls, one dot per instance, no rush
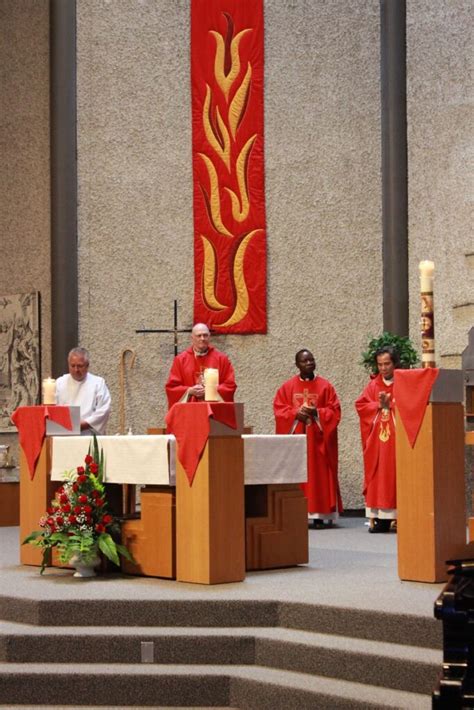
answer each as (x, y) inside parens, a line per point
(374, 662)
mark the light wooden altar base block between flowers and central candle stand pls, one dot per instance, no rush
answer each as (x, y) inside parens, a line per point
(151, 539)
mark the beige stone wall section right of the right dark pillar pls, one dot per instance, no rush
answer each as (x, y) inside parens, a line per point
(440, 151)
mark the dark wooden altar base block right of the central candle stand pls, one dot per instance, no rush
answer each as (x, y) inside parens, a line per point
(276, 526)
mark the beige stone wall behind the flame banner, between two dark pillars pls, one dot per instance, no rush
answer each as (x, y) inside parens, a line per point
(322, 153)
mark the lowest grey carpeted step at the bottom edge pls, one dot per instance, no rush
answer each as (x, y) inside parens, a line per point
(239, 686)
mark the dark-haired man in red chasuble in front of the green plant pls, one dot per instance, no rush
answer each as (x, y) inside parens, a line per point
(376, 410)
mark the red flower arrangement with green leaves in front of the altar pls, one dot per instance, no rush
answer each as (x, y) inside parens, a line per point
(77, 522)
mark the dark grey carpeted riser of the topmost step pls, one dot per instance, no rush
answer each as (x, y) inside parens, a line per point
(423, 631)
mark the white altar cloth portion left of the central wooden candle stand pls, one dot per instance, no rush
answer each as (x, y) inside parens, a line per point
(142, 460)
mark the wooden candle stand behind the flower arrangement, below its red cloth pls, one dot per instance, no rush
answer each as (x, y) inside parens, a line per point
(35, 498)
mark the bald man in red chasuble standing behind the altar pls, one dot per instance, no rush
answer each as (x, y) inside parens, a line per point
(186, 379)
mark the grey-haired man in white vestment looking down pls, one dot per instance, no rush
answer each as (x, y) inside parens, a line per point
(88, 391)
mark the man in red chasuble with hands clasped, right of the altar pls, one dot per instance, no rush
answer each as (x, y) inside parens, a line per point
(307, 403)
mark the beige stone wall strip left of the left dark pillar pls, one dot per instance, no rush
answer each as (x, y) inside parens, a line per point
(24, 166)
